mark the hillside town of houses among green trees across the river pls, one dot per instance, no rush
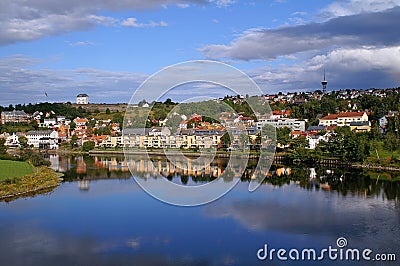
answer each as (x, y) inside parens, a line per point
(311, 116)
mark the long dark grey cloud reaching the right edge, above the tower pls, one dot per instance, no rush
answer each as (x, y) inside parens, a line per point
(373, 29)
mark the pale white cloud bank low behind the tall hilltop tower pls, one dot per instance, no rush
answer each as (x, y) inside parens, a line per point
(346, 68)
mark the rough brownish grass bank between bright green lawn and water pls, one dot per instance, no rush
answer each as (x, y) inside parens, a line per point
(43, 180)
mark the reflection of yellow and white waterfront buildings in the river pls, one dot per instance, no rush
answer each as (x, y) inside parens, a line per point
(91, 168)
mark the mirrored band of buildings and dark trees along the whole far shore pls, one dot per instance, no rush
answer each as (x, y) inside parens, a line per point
(341, 180)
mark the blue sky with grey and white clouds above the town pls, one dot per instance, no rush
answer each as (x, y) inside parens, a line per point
(108, 48)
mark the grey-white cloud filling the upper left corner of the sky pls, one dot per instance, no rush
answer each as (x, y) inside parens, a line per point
(22, 20)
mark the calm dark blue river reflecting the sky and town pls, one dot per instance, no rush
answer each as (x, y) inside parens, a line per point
(100, 216)
